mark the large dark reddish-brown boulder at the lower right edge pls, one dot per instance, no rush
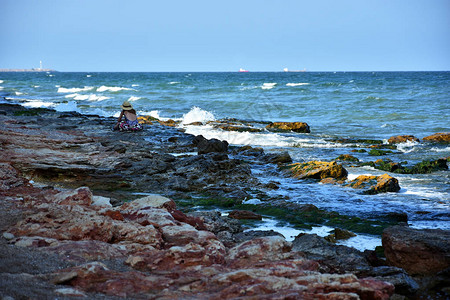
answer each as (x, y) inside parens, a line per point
(418, 251)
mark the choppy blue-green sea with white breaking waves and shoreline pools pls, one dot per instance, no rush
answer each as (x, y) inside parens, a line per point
(336, 105)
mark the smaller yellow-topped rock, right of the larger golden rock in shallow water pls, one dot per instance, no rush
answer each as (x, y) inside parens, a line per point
(375, 184)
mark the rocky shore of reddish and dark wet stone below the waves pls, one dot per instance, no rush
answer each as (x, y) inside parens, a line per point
(88, 212)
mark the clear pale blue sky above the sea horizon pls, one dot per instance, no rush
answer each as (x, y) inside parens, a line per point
(198, 35)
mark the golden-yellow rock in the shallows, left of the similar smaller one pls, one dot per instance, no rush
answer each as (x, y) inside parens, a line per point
(318, 170)
